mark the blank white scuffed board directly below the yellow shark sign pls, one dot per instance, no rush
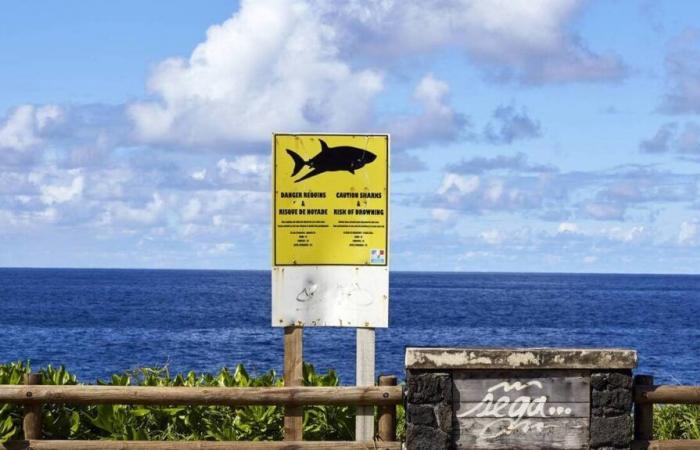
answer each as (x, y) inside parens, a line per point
(342, 296)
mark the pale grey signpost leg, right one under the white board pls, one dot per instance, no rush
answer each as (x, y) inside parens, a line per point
(364, 376)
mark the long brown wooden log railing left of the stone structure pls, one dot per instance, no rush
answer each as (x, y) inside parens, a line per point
(32, 395)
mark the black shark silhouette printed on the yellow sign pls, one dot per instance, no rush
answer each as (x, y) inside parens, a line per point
(332, 160)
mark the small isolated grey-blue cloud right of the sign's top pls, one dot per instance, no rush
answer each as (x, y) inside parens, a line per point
(509, 125)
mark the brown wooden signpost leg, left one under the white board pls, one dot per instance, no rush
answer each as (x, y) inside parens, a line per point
(293, 376)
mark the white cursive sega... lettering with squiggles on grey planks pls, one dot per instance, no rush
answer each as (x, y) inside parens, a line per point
(522, 413)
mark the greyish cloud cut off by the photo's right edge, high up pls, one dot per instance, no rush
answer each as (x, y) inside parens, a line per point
(683, 74)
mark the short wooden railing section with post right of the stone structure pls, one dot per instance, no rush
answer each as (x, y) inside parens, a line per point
(646, 394)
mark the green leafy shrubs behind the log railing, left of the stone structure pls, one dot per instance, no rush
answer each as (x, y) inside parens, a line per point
(133, 422)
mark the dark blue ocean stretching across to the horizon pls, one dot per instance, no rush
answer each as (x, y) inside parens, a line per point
(97, 322)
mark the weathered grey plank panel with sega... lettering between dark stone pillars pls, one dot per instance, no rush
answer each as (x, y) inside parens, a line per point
(521, 410)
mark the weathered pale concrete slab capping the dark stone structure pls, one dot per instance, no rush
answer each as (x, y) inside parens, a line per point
(519, 358)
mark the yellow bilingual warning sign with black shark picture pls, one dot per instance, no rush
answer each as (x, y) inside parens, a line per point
(331, 199)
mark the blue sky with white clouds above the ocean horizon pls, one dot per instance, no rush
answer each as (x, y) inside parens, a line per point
(548, 135)
